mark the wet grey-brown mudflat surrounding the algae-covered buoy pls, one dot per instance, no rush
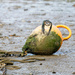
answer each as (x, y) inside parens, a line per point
(18, 18)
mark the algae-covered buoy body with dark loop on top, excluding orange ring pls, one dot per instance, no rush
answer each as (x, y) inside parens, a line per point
(45, 39)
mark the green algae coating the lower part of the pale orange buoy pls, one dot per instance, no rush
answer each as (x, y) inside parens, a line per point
(47, 46)
